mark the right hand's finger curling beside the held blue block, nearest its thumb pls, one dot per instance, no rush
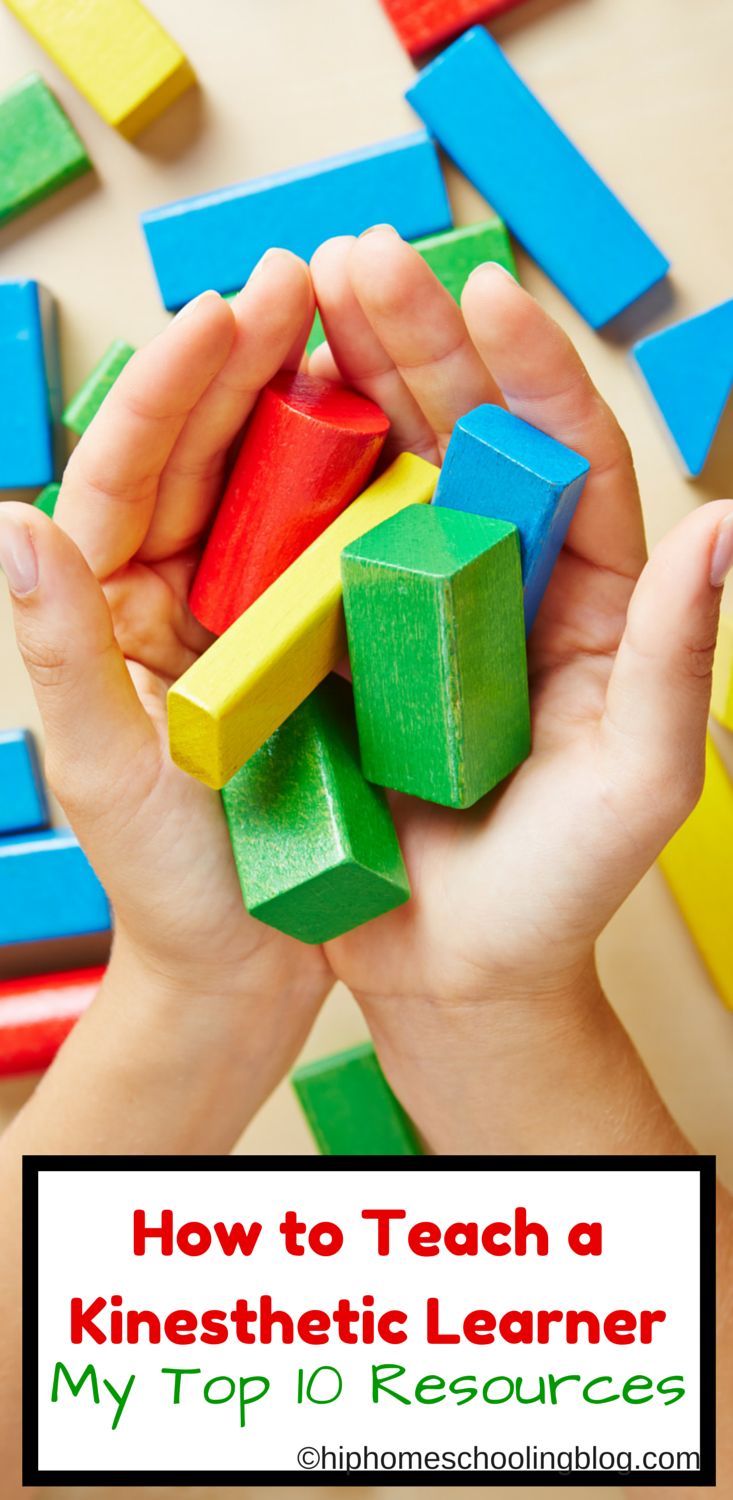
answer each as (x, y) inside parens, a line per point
(545, 382)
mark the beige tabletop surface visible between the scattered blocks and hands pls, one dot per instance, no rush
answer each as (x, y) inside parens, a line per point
(644, 86)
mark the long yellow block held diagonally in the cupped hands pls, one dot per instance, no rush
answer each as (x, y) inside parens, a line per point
(283, 647)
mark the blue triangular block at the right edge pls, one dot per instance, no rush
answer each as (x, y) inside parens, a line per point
(689, 370)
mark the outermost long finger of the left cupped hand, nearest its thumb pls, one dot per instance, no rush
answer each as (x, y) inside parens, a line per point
(112, 481)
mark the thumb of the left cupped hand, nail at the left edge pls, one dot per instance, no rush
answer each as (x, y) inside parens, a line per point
(94, 721)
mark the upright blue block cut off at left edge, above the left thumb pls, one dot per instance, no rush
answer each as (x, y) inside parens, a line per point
(31, 389)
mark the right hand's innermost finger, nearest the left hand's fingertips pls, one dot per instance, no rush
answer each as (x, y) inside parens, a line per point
(356, 353)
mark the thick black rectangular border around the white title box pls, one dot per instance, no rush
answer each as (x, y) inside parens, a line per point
(32, 1166)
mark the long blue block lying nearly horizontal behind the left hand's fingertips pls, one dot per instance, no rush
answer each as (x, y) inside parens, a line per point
(217, 239)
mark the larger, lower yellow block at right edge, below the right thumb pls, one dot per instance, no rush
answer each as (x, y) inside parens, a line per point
(698, 865)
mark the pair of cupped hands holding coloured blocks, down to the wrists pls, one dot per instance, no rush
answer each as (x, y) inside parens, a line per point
(509, 898)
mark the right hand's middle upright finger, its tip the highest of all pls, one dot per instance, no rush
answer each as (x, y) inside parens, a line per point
(420, 329)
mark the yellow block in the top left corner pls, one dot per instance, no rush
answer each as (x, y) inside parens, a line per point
(116, 55)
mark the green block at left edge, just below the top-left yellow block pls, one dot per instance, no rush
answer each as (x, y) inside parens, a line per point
(40, 149)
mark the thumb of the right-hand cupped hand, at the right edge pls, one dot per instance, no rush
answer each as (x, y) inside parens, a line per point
(660, 688)
